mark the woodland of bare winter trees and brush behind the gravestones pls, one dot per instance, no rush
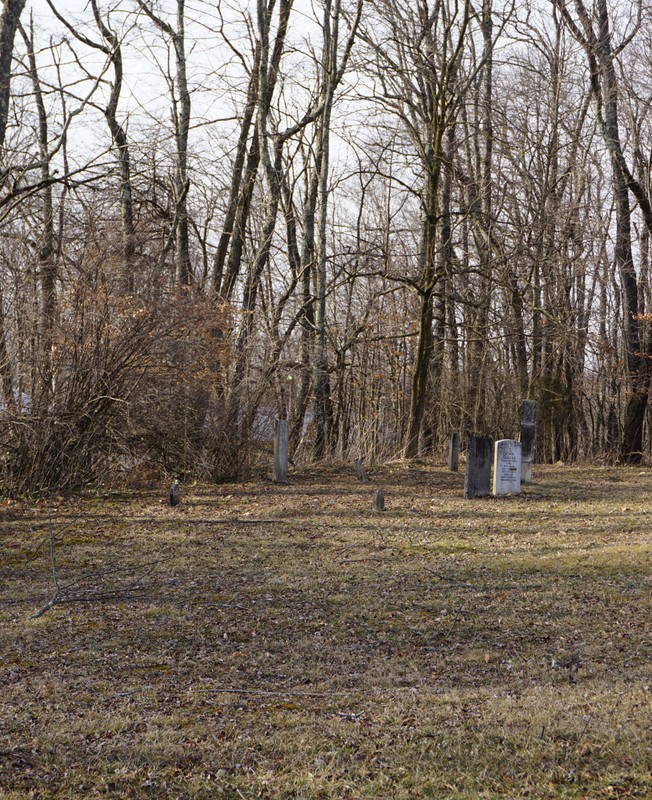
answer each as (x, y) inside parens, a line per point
(382, 220)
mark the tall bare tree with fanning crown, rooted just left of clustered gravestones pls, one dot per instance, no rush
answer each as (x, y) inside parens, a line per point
(417, 51)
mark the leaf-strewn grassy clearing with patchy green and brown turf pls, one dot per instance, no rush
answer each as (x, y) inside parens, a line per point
(263, 641)
